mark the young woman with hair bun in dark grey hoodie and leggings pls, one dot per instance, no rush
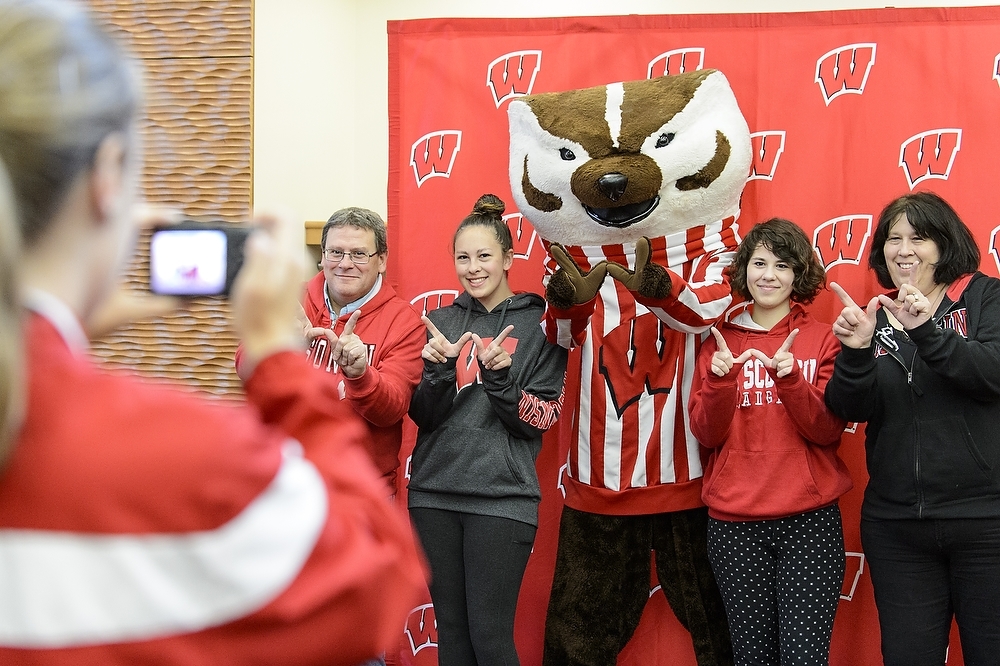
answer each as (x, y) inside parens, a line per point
(491, 386)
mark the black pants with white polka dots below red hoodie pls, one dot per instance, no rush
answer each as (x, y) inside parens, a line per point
(780, 581)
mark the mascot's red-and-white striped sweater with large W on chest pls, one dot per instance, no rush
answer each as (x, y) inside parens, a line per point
(624, 419)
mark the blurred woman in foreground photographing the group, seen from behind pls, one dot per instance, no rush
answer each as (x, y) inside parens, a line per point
(140, 524)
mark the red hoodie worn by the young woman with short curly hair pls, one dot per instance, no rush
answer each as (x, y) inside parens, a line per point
(773, 441)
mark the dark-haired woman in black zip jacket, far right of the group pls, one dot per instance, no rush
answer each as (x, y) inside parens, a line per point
(922, 366)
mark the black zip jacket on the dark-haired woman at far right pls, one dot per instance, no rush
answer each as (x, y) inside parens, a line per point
(931, 397)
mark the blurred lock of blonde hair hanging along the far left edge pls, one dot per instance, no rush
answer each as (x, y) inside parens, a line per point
(12, 398)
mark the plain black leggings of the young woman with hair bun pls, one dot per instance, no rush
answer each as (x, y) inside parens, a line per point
(477, 563)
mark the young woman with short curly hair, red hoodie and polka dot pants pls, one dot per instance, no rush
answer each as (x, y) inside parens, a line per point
(773, 476)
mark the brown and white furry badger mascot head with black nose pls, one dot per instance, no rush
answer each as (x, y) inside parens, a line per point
(615, 163)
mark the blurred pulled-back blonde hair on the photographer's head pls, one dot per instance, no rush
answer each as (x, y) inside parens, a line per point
(64, 87)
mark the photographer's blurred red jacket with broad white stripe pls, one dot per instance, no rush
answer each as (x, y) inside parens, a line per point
(141, 525)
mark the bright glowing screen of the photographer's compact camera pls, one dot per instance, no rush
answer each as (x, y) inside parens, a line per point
(188, 262)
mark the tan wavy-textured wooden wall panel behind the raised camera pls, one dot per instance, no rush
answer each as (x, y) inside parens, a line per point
(197, 129)
